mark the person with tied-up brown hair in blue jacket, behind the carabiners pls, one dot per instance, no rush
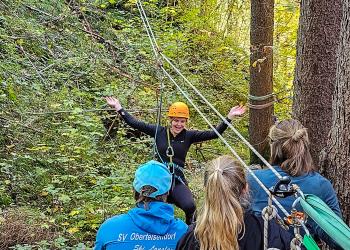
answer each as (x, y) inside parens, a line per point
(290, 156)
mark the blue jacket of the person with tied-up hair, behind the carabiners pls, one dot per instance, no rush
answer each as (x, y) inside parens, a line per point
(311, 183)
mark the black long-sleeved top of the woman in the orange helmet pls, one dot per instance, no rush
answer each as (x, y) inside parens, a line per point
(181, 143)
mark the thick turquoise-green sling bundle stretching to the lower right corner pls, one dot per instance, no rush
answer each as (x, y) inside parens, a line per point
(331, 223)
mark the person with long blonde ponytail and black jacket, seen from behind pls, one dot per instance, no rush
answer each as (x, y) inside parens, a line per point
(225, 221)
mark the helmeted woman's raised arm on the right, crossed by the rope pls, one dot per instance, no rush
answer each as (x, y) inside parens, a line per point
(198, 136)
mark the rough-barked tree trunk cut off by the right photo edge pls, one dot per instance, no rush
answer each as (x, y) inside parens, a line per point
(336, 156)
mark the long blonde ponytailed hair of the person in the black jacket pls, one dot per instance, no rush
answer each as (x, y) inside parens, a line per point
(220, 219)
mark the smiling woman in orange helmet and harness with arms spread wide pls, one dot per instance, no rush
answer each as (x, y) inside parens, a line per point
(175, 140)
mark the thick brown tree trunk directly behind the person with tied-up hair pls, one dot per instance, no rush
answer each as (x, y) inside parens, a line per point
(318, 39)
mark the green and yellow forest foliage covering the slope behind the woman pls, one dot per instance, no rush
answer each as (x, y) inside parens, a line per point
(56, 57)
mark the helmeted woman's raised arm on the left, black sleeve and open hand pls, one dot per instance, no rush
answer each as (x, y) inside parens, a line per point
(148, 129)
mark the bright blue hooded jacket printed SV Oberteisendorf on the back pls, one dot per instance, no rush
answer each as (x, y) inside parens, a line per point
(142, 229)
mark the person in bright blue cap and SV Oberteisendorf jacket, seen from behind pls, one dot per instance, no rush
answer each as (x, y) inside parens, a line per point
(151, 224)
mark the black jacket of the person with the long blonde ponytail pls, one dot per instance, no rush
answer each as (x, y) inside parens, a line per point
(253, 238)
